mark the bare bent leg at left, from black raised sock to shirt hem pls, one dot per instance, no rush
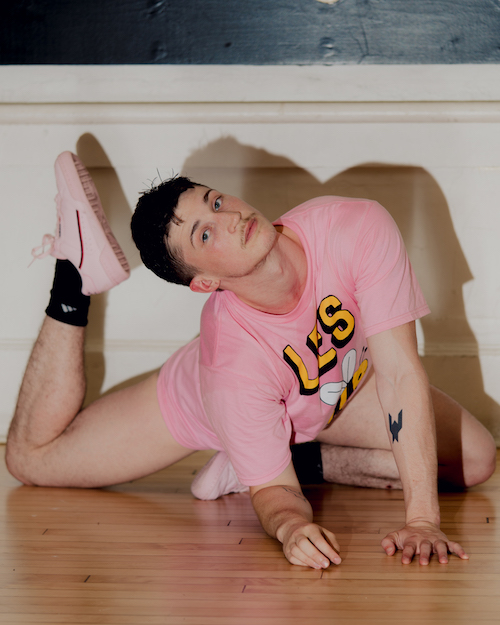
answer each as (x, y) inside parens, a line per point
(52, 442)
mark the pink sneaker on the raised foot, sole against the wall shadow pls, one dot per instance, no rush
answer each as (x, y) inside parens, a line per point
(83, 235)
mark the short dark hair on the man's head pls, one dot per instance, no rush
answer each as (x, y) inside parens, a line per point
(154, 214)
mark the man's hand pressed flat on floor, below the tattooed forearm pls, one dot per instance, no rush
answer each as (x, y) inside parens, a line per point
(422, 539)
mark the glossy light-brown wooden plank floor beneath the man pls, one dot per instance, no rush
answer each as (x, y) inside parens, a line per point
(147, 553)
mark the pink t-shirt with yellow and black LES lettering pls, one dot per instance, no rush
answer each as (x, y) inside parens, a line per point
(267, 381)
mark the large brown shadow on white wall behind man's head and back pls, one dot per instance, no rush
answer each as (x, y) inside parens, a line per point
(274, 184)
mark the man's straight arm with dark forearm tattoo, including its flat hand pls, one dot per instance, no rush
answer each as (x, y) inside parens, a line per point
(404, 394)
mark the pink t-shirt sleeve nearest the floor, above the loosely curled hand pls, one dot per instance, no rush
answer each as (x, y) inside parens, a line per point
(250, 421)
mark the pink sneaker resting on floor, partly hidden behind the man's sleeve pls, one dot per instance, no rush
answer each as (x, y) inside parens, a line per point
(217, 478)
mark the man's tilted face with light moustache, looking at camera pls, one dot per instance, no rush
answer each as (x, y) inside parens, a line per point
(220, 235)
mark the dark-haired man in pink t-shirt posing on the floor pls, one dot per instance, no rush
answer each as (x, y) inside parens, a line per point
(309, 334)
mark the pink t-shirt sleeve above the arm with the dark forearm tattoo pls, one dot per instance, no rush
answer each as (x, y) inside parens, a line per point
(386, 287)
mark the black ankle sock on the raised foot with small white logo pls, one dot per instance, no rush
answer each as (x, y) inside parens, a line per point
(67, 302)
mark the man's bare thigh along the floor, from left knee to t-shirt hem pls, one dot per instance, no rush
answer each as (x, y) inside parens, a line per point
(120, 437)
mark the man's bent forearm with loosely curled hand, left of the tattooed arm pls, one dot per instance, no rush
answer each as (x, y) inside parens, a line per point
(286, 514)
